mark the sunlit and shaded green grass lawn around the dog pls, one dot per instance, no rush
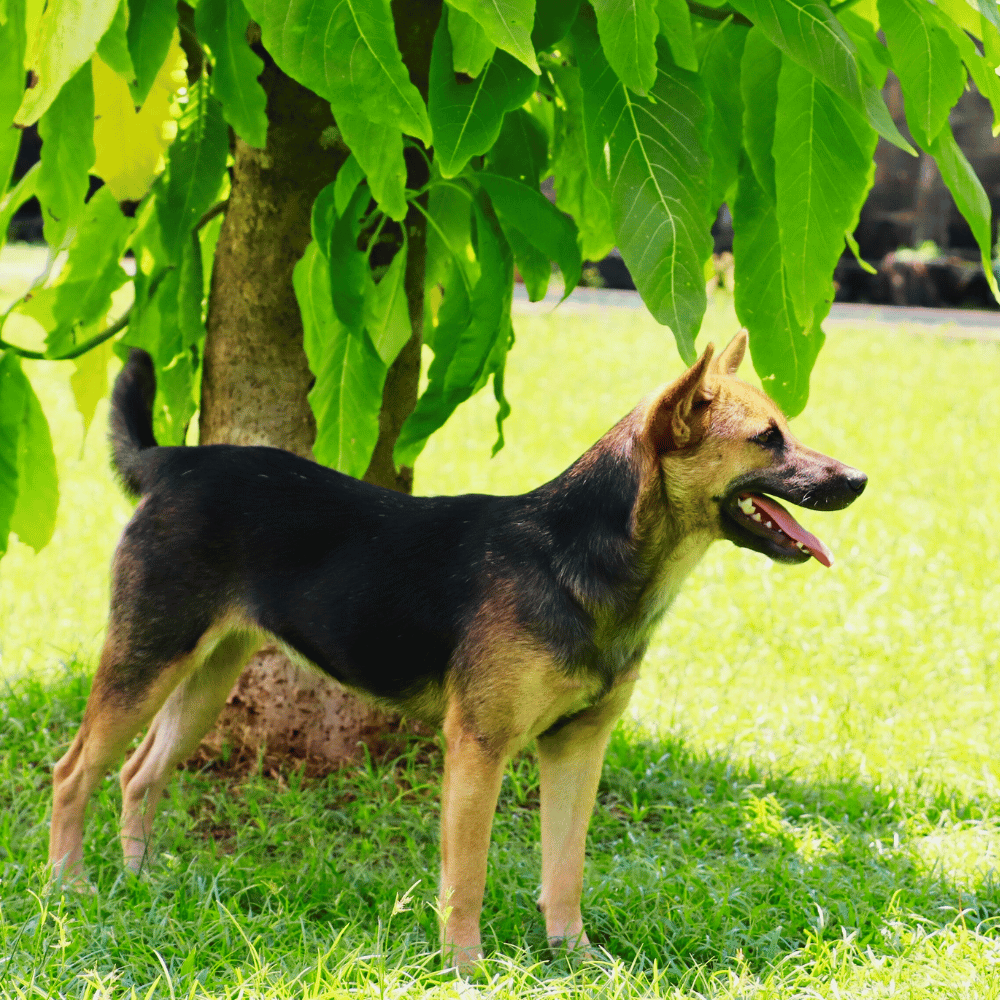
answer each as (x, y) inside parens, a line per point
(803, 803)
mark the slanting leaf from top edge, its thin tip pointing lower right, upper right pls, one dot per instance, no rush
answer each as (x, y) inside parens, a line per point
(808, 32)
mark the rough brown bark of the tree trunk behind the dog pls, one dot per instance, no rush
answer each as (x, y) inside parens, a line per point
(256, 380)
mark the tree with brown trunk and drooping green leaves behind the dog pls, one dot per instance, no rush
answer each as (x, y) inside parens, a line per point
(312, 189)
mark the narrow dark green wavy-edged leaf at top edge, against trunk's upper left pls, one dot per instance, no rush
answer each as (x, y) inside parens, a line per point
(222, 26)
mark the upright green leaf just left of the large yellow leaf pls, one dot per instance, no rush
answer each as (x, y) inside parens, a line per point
(67, 133)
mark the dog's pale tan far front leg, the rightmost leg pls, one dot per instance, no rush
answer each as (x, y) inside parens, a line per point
(570, 758)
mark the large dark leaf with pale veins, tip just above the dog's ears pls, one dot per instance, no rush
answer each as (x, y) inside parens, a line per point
(660, 188)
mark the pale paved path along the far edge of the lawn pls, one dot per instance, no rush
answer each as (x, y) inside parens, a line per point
(963, 324)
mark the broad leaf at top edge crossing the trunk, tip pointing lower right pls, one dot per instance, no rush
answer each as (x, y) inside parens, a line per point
(345, 51)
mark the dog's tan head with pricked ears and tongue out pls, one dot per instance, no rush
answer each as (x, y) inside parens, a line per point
(727, 456)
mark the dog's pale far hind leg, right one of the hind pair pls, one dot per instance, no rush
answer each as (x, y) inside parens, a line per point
(177, 729)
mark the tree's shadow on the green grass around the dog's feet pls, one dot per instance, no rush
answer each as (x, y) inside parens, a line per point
(694, 861)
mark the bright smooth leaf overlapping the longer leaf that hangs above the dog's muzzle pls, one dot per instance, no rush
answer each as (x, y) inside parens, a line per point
(822, 153)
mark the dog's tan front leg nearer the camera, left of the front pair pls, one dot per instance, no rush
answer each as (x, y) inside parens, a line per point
(473, 771)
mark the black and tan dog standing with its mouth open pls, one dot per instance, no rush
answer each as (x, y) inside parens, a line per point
(501, 619)
